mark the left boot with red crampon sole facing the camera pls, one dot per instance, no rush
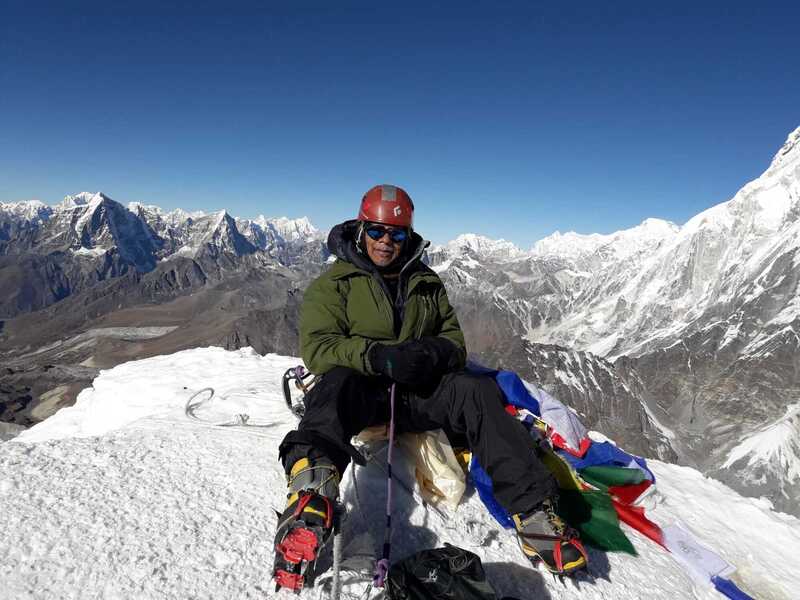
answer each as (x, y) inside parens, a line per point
(307, 523)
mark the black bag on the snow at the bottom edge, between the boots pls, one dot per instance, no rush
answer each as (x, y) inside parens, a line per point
(449, 573)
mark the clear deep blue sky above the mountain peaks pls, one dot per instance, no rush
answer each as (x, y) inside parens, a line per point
(509, 119)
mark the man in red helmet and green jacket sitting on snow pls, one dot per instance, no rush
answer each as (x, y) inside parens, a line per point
(380, 316)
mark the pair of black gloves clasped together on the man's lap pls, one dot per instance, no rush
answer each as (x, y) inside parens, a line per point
(414, 362)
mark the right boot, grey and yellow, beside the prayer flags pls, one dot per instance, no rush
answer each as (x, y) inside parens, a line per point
(545, 538)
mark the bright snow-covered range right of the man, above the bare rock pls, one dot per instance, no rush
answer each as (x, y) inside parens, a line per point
(647, 287)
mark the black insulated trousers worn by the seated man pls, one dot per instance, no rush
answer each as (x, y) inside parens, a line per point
(468, 407)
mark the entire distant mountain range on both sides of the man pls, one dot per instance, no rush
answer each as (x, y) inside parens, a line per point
(682, 339)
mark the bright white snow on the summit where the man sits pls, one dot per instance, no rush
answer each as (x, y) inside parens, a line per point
(123, 496)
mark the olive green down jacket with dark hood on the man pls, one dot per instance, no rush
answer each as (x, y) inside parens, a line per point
(348, 308)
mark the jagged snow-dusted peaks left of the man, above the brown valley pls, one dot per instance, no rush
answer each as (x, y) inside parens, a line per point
(88, 238)
